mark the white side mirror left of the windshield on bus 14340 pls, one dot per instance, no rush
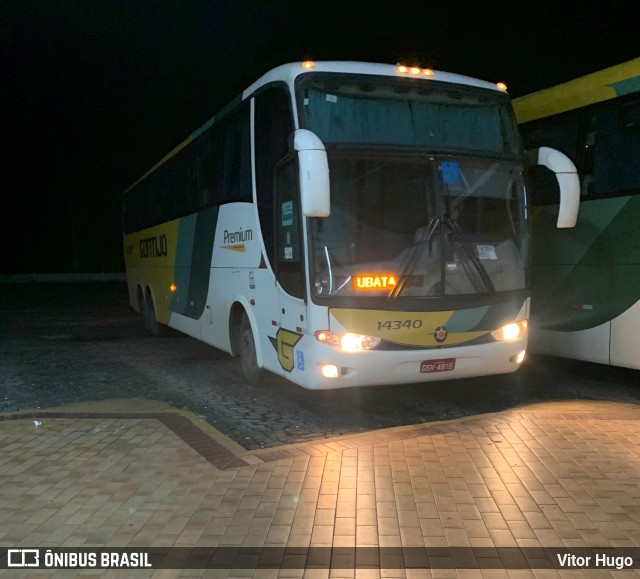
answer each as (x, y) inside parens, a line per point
(314, 174)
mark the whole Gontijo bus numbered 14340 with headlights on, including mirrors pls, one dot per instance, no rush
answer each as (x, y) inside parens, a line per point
(344, 224)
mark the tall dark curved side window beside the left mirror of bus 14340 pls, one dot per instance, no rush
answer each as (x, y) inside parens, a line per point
(273, 123)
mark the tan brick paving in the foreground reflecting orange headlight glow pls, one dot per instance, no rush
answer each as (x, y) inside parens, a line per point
(560, 476)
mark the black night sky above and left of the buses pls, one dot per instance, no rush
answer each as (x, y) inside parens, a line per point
(94, 92)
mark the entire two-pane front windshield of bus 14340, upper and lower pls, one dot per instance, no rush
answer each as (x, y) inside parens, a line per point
(427, 195)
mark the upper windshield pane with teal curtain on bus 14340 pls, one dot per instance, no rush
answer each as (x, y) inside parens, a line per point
(408, 113)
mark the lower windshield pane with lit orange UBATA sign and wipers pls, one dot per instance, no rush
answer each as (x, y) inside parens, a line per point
(419, 226)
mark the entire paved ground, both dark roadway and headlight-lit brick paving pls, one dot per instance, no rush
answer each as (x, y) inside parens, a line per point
(96, 453)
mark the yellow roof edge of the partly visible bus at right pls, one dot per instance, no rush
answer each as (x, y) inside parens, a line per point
(599, 86)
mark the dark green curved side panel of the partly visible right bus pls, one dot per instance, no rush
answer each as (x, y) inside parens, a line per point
(593, 277)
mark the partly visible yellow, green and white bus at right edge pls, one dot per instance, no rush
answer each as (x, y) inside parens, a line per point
(586, 281)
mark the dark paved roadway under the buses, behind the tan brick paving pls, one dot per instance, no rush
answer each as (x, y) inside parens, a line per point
(63, 343)
